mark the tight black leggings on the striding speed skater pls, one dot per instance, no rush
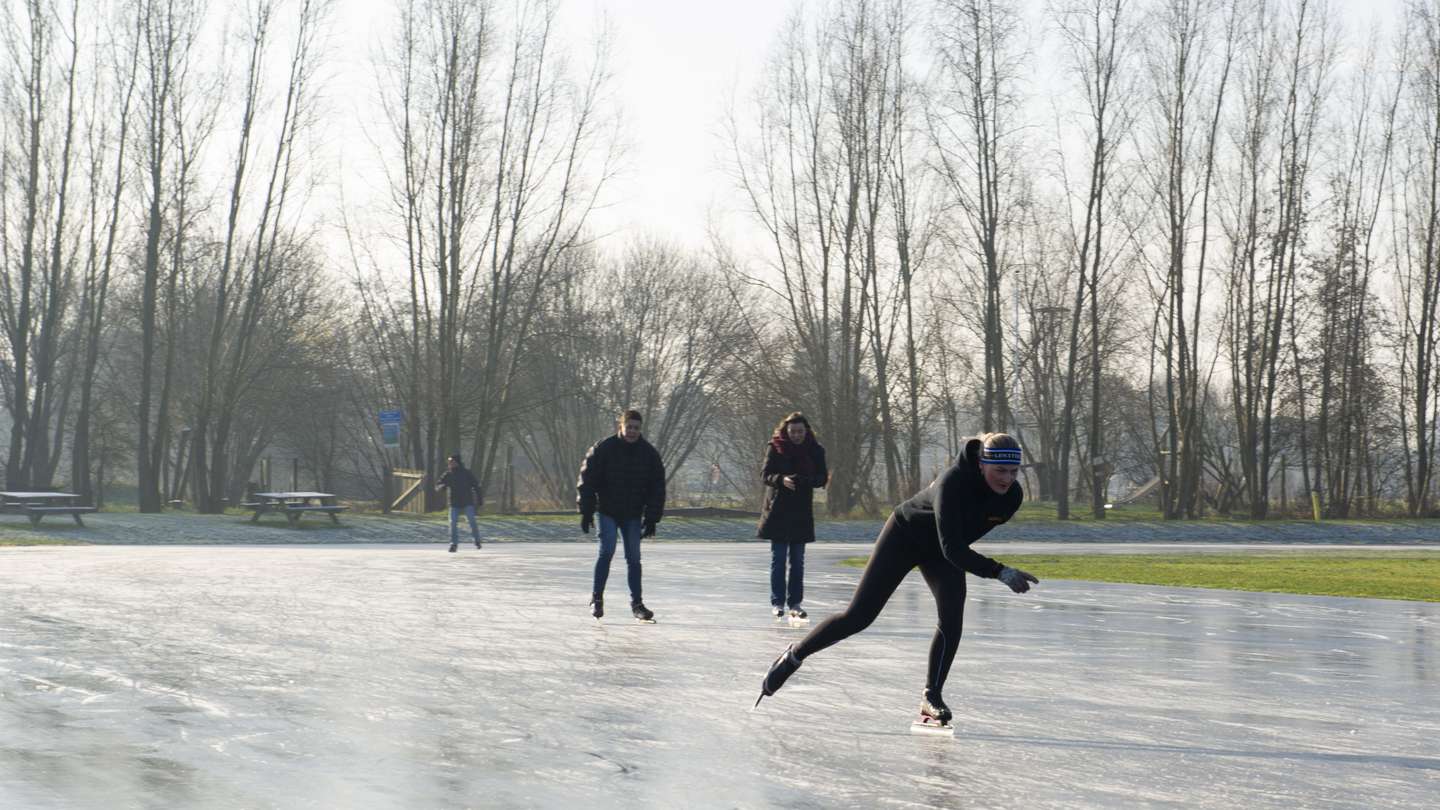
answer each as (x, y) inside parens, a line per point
(898, 551)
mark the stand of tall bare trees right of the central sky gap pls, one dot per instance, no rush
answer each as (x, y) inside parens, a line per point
(1206, 257)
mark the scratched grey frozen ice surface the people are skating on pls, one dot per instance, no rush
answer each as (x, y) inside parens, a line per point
(388, 677)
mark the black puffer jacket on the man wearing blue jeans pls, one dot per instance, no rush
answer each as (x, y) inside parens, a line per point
(623, 481)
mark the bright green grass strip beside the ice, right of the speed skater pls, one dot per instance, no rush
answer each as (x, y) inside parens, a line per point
(1395, 576)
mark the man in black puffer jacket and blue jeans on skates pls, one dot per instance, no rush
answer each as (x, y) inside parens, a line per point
(623, 481)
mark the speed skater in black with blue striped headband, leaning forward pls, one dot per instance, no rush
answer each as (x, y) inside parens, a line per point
(932, 531)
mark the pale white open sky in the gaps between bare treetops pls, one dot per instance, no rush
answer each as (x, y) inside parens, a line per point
(679, 66)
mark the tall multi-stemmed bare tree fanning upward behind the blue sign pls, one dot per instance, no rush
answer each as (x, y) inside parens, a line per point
(500, 156)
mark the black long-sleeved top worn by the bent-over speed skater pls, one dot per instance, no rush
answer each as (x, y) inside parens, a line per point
(958, 509)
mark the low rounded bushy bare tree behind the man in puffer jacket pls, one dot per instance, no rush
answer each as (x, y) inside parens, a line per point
(644, 332)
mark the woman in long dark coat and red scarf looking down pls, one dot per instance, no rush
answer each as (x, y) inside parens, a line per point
(794, 469)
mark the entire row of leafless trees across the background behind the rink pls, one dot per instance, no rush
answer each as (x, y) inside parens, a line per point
(1203, 257)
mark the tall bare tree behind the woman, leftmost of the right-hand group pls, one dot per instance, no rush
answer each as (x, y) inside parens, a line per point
(814, 181)
